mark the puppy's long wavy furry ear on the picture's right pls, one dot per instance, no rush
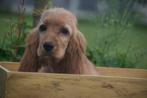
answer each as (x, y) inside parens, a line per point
(74, 53)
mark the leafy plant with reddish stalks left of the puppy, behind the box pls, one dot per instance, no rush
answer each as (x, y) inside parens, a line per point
(12, 44)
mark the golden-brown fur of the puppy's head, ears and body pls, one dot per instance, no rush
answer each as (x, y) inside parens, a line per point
(68, 56)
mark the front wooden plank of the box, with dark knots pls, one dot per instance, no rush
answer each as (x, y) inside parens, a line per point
(43, 85)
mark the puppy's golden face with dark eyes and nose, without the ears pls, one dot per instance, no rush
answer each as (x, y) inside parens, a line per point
(55, 31)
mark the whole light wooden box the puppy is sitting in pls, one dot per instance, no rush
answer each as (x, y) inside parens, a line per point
(114, 83)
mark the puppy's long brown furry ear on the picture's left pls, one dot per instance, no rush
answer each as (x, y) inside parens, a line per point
(29, 62)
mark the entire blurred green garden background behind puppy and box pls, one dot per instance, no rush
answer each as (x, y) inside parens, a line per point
(116, 30)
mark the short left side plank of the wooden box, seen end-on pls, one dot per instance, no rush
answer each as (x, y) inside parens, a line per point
(3, 78)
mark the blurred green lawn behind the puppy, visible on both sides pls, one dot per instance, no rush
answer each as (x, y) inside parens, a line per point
(131, 41)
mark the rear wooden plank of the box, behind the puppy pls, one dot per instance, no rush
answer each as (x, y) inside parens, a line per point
(122, 72)
